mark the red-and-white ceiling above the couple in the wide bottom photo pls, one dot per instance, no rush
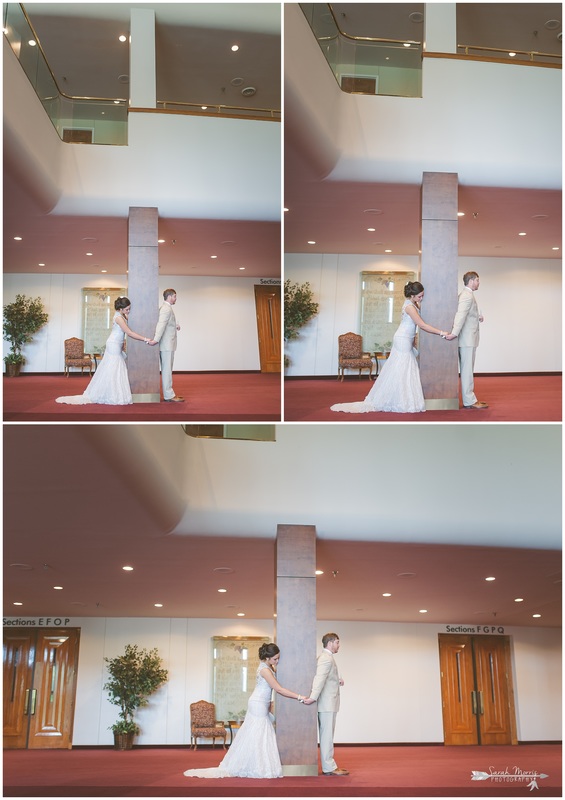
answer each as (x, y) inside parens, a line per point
(449, 505)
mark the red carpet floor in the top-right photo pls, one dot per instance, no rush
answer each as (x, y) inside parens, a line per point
(511, 398)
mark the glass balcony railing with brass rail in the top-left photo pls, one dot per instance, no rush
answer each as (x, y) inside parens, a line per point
(94, 120)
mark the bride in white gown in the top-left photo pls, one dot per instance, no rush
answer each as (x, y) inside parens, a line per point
(110, 382)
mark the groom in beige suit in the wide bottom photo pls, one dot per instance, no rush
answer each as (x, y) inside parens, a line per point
(325, 689)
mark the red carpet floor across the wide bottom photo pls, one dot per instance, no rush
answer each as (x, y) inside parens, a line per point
(396, 771)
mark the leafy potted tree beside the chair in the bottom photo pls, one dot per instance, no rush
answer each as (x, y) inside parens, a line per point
(133, 677)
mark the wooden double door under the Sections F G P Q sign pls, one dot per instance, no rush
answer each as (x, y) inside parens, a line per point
(476, 687)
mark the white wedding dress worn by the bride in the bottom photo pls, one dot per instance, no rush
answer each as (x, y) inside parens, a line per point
(254, 752)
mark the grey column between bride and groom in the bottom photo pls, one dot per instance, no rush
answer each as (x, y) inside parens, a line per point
(296, 724)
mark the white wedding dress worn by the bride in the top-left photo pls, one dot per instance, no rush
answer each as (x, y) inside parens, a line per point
(110, 382)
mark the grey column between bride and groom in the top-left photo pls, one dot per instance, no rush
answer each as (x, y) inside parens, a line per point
(143, 291)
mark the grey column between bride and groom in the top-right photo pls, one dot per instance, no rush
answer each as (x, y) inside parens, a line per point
(438, 273)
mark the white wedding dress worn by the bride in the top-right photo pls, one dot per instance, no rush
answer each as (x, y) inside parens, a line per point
(398, 387)
